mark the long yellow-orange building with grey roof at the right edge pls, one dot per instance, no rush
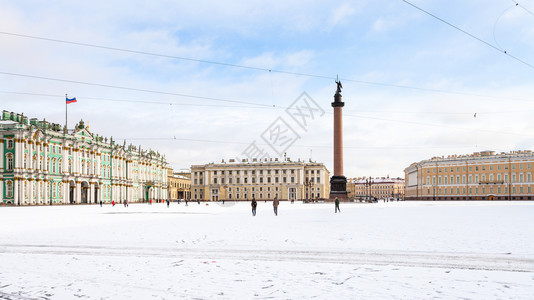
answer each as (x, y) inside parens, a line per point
(479, 176)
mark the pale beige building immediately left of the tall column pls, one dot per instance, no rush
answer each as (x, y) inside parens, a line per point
(261, 179)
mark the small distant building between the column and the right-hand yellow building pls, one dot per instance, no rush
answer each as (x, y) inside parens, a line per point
(364, 188)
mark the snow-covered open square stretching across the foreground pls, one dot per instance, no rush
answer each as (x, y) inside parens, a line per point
(395, 250)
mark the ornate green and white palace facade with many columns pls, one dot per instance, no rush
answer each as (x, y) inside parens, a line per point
(43, 163)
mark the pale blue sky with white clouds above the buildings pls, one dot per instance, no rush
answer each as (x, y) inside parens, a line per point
(412, 83)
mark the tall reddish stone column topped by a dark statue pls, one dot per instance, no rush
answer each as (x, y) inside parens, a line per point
(338, 182)
